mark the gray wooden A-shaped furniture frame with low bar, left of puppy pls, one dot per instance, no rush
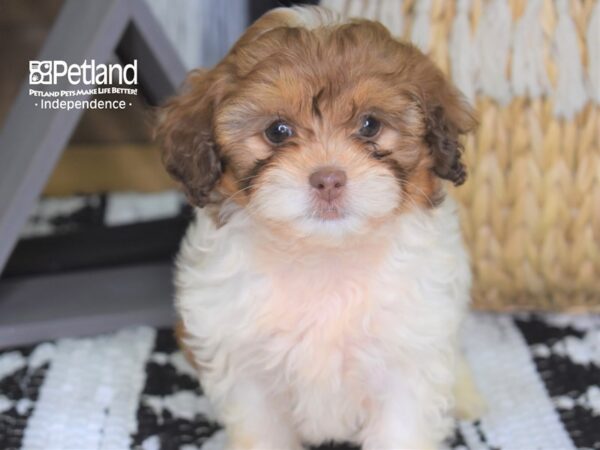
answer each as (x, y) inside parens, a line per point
(31, 142)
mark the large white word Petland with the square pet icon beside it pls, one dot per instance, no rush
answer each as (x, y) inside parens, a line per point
(50, 72)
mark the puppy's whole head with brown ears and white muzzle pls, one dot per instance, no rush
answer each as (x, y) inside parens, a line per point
(317, 126)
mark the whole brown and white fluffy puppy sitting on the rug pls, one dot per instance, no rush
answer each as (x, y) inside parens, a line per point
(323, 281)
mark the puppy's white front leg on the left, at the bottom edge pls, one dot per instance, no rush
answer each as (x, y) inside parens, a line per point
(253, 420)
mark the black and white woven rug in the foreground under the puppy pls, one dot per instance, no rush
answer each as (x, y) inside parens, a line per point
(133, 389)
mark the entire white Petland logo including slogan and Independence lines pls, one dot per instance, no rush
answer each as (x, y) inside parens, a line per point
(59, 85)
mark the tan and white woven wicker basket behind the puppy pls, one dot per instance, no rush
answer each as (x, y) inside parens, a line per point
(531, 209)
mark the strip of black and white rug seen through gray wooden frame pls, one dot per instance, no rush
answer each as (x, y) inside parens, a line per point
(63, 234)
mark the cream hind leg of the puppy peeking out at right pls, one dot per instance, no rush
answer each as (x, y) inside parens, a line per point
(470, 405)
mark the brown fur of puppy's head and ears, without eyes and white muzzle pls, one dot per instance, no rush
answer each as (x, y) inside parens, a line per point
(322, 81)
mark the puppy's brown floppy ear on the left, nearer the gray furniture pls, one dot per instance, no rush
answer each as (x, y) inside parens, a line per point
(185, 133)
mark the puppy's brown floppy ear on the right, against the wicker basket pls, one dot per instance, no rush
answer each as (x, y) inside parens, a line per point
(448, 115)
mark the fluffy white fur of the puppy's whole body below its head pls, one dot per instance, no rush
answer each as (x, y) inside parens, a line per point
(306, 343)
